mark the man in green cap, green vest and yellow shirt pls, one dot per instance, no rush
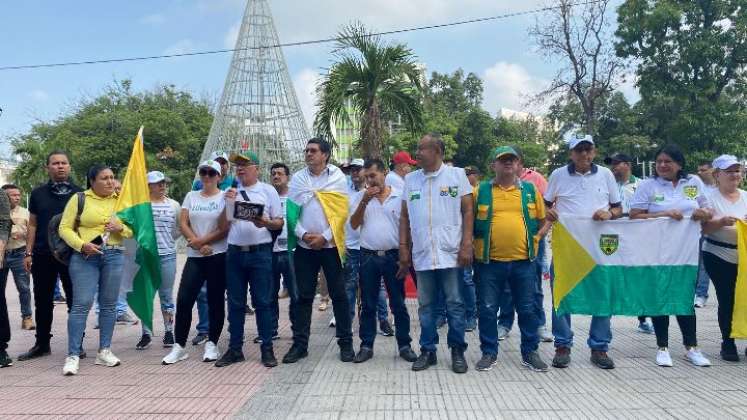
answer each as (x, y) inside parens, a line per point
(509, 222)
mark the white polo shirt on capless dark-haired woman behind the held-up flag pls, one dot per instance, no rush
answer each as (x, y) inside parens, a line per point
(657, 195)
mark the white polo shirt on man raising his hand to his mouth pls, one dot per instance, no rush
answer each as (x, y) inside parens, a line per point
(380, 228)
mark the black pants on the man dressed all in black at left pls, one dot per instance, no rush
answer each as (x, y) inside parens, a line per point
(45, 269)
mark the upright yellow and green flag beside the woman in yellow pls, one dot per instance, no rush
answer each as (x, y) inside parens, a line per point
(133, 208)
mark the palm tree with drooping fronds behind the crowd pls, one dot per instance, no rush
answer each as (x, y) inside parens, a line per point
(369, 78)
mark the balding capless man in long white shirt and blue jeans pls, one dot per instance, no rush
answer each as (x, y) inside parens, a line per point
(436, 237)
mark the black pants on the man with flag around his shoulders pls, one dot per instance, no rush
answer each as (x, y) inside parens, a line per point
(307, 263)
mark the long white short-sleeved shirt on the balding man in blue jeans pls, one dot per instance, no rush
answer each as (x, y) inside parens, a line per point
(435, 212)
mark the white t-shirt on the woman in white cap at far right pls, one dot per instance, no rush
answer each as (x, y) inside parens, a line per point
(727, 234)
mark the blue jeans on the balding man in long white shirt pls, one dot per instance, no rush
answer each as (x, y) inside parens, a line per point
(430, 284)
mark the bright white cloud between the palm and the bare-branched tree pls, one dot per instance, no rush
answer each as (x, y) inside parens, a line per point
(510, 85)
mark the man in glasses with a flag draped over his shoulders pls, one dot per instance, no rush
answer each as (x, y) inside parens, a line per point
(317, 248)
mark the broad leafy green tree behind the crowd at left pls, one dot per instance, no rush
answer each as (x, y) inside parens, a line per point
(101, 130)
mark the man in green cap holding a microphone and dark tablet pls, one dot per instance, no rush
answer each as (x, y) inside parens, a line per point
(249, 258)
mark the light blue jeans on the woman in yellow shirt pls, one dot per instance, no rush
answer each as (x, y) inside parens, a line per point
(102, 272)
